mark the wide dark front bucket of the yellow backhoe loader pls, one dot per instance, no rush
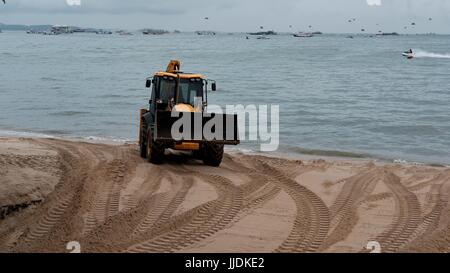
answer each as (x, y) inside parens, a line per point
(196, 127)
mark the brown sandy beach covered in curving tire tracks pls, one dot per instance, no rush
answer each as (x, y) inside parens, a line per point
(108, 199)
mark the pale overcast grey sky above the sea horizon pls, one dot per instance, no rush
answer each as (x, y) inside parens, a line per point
(236, 15)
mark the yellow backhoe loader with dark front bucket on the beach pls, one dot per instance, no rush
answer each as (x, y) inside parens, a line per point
(177, 118)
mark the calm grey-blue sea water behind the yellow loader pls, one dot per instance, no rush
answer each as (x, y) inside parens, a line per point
(337, 96)
